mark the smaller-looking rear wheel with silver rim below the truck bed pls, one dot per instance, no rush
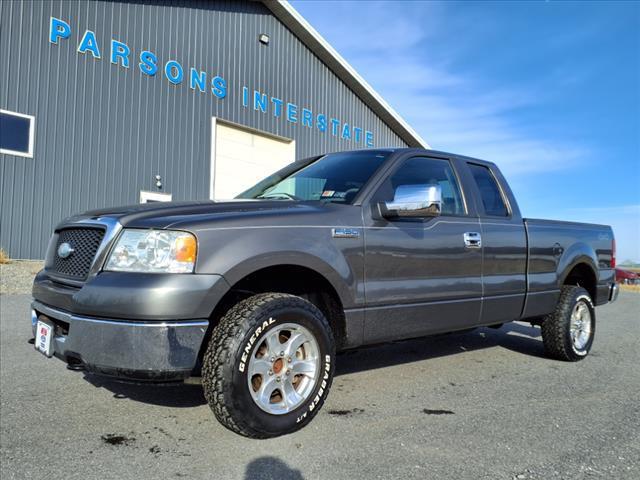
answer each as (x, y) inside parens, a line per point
(568, 332)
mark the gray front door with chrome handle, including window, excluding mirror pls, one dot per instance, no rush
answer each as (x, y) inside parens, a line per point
(420, 276)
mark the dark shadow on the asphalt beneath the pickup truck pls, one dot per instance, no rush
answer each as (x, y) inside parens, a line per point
(517, 337)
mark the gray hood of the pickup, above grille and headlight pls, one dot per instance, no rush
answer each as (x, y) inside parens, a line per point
(200, 214)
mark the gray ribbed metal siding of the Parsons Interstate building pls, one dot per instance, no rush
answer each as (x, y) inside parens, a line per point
(103, 131)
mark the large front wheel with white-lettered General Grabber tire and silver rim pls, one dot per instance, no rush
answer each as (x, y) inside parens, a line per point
(269, 365)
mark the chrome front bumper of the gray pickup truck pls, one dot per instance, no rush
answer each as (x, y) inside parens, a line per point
(135, 350)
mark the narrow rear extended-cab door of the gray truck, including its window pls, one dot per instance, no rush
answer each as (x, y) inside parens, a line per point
(504, 244)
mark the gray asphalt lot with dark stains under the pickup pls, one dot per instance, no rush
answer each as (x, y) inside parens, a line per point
(480, 405)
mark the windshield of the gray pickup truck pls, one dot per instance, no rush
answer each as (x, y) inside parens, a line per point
(337, 177)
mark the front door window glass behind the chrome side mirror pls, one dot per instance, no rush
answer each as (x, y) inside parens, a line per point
(426, 171)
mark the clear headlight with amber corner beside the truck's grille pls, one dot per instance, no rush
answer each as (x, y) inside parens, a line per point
(155, 251)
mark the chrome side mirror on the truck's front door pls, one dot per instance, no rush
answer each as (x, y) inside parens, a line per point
(413, 201)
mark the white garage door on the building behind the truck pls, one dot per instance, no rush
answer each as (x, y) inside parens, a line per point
(242, 157)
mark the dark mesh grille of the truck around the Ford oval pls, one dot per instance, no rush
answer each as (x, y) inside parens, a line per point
(84, 242)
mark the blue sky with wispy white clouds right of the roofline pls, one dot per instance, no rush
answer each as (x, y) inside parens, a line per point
(550, 91)
